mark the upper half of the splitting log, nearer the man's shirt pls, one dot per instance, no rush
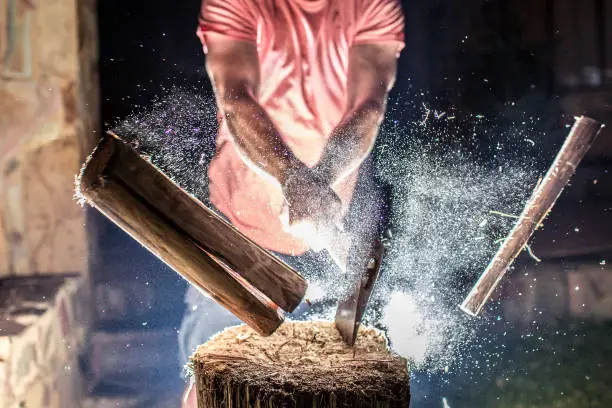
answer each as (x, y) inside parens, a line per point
(268, 274)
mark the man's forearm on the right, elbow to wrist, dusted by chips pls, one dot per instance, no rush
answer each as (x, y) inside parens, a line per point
(351, 142)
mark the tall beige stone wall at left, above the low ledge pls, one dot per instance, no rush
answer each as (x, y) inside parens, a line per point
(48, 122)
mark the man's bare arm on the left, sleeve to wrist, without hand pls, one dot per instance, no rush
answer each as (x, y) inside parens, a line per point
(233, 68)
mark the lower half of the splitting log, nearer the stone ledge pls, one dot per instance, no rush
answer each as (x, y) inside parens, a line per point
(178, 250)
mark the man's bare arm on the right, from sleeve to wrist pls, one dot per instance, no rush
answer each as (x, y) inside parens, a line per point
(372, 69)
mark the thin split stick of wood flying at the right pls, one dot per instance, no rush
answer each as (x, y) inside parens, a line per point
(578, 142)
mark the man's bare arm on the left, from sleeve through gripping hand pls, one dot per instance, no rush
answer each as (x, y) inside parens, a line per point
(233, 67)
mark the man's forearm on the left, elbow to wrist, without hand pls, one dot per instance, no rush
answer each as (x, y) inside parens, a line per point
(257, 139)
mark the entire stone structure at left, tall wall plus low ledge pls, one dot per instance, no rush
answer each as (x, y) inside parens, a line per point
(49, 121)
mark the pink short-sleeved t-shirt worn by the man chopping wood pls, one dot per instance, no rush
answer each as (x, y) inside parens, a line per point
(303, 48)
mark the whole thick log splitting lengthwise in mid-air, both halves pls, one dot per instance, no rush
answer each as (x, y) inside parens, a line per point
(189, 237)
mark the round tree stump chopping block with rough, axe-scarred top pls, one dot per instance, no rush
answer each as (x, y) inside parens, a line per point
(303, 364)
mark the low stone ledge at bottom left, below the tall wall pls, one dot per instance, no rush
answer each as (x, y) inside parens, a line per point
(43, 334)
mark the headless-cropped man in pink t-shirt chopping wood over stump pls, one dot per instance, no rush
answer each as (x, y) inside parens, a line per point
(301, 88)
